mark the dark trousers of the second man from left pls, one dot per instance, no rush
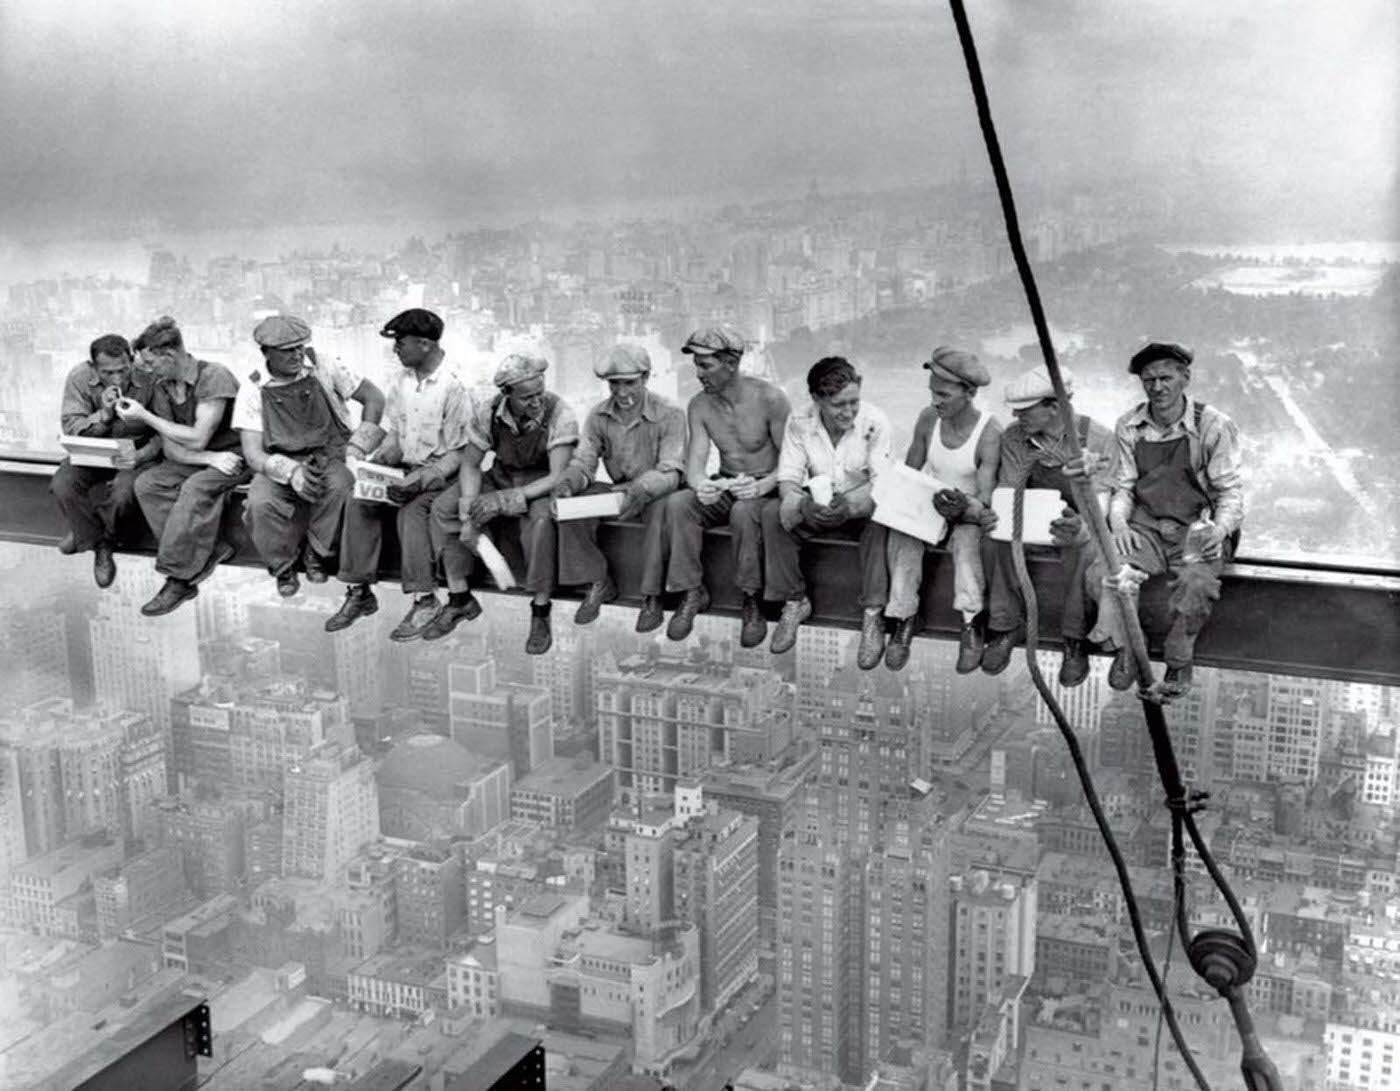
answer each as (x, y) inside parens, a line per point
(185, 509)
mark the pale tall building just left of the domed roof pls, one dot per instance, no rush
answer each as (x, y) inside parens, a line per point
(331, 813)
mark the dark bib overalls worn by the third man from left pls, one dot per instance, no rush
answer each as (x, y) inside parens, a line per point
(300, 422)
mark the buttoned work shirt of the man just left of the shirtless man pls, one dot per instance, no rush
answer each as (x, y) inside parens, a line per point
(643, 449)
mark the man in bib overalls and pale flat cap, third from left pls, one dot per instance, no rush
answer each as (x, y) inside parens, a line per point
(297, 433)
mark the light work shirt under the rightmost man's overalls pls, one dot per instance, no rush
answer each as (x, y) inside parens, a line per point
(1214, 460)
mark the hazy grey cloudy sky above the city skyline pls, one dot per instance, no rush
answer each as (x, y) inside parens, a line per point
(118, 113)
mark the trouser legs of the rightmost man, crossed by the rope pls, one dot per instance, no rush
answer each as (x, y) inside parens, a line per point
(1195, 589)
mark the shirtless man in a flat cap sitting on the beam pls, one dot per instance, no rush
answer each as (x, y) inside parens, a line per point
(744, 418)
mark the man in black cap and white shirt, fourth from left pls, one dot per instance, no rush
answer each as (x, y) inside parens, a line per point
(425, 422)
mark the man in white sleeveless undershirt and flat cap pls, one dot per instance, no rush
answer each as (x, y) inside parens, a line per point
(960, 445)
